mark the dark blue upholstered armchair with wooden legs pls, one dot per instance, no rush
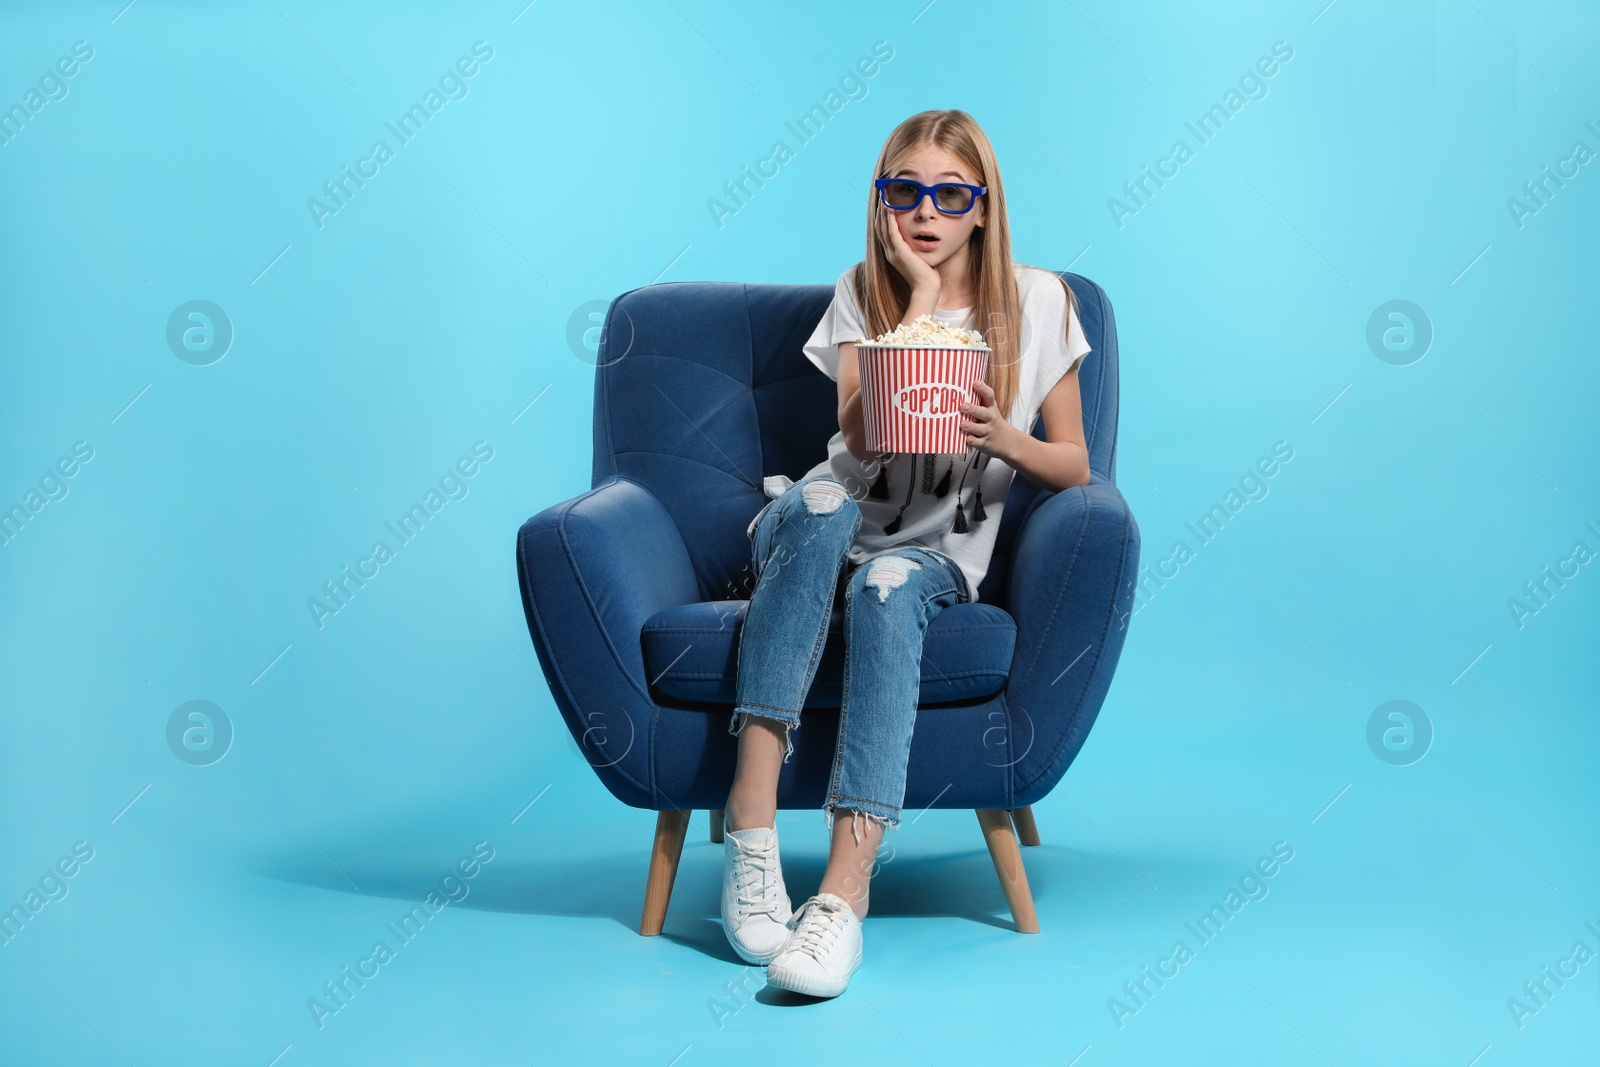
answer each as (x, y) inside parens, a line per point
(636, 591)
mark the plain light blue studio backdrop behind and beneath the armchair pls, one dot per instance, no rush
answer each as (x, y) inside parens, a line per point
(436, 308)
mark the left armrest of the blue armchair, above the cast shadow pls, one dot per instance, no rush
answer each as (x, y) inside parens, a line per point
(591, 572)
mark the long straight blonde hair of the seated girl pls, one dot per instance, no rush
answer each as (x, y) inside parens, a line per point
(882, 292)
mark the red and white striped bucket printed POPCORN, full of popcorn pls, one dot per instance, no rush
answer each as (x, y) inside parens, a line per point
(913, 396)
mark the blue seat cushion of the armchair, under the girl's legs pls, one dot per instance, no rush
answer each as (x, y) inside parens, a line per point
(692, 655)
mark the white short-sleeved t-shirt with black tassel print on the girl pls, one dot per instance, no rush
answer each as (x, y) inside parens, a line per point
(1050, 350)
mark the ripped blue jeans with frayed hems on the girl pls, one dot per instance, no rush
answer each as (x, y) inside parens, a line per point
(802, 565)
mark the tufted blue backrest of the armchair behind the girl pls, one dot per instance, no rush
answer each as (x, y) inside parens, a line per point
(702, 391)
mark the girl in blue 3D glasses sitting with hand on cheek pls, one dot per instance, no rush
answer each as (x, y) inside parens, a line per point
(847, 533)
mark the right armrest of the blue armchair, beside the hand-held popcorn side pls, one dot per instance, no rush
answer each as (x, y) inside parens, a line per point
(1071, 593)
